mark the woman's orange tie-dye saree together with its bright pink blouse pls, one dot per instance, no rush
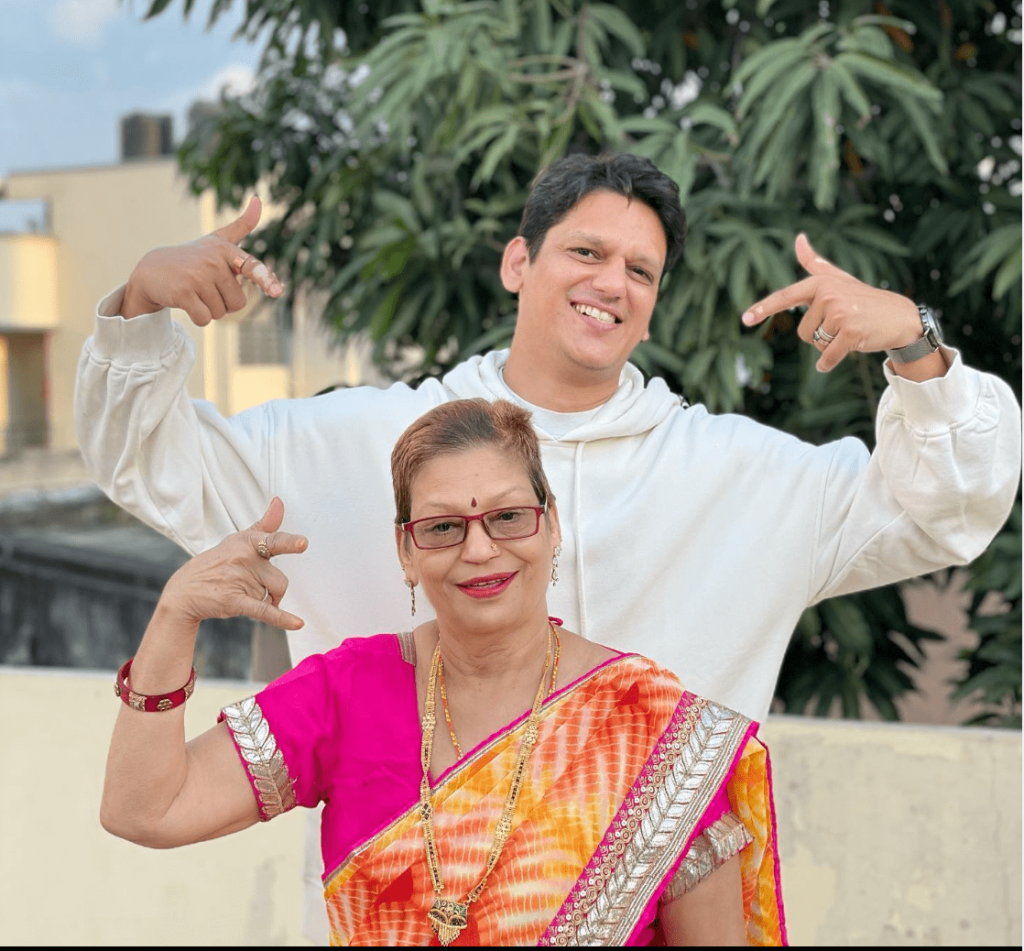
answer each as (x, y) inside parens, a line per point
(629, 772)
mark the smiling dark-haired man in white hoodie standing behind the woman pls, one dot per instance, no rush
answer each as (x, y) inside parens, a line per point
(693, 539)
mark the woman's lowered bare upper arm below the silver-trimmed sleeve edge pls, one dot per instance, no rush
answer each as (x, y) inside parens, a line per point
(711, 914)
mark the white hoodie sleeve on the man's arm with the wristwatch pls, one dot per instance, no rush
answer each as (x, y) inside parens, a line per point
(940, 486)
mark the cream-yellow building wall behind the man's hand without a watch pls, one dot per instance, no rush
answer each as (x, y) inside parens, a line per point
(104, 220)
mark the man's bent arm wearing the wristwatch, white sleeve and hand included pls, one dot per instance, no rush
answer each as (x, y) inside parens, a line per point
(945, 473)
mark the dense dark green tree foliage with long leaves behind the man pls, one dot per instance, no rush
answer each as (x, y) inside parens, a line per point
(402, 136)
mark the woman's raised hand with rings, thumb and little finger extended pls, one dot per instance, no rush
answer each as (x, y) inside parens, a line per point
(237, 578)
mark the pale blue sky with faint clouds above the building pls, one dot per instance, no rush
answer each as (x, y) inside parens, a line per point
(71, 69)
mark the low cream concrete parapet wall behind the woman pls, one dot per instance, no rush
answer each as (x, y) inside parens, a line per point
(889, 835)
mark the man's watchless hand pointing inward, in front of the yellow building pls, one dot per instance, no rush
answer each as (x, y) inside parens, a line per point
(201, 278)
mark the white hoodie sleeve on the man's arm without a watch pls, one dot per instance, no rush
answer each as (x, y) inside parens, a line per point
(175, 463)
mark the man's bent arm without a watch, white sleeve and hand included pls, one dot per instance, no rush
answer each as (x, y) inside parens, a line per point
(175, 463)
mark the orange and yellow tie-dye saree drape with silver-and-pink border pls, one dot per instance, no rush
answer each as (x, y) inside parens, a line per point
(629, 768)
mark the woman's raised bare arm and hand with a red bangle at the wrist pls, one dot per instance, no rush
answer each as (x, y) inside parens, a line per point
(159, 791)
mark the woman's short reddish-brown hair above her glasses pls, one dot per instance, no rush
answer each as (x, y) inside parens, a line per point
(461, 425)
